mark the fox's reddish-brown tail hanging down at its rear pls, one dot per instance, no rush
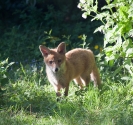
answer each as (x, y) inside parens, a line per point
(95, 76)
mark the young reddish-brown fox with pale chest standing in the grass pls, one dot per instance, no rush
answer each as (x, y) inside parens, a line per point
(62, 67)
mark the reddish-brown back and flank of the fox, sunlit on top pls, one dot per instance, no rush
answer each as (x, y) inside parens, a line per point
(80, 60)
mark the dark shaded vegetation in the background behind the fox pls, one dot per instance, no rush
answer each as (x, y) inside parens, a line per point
(25, 24)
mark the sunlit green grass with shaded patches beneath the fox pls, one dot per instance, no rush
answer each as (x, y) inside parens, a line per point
(30, 100)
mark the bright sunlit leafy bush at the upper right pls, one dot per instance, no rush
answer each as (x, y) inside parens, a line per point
(117, 19)
